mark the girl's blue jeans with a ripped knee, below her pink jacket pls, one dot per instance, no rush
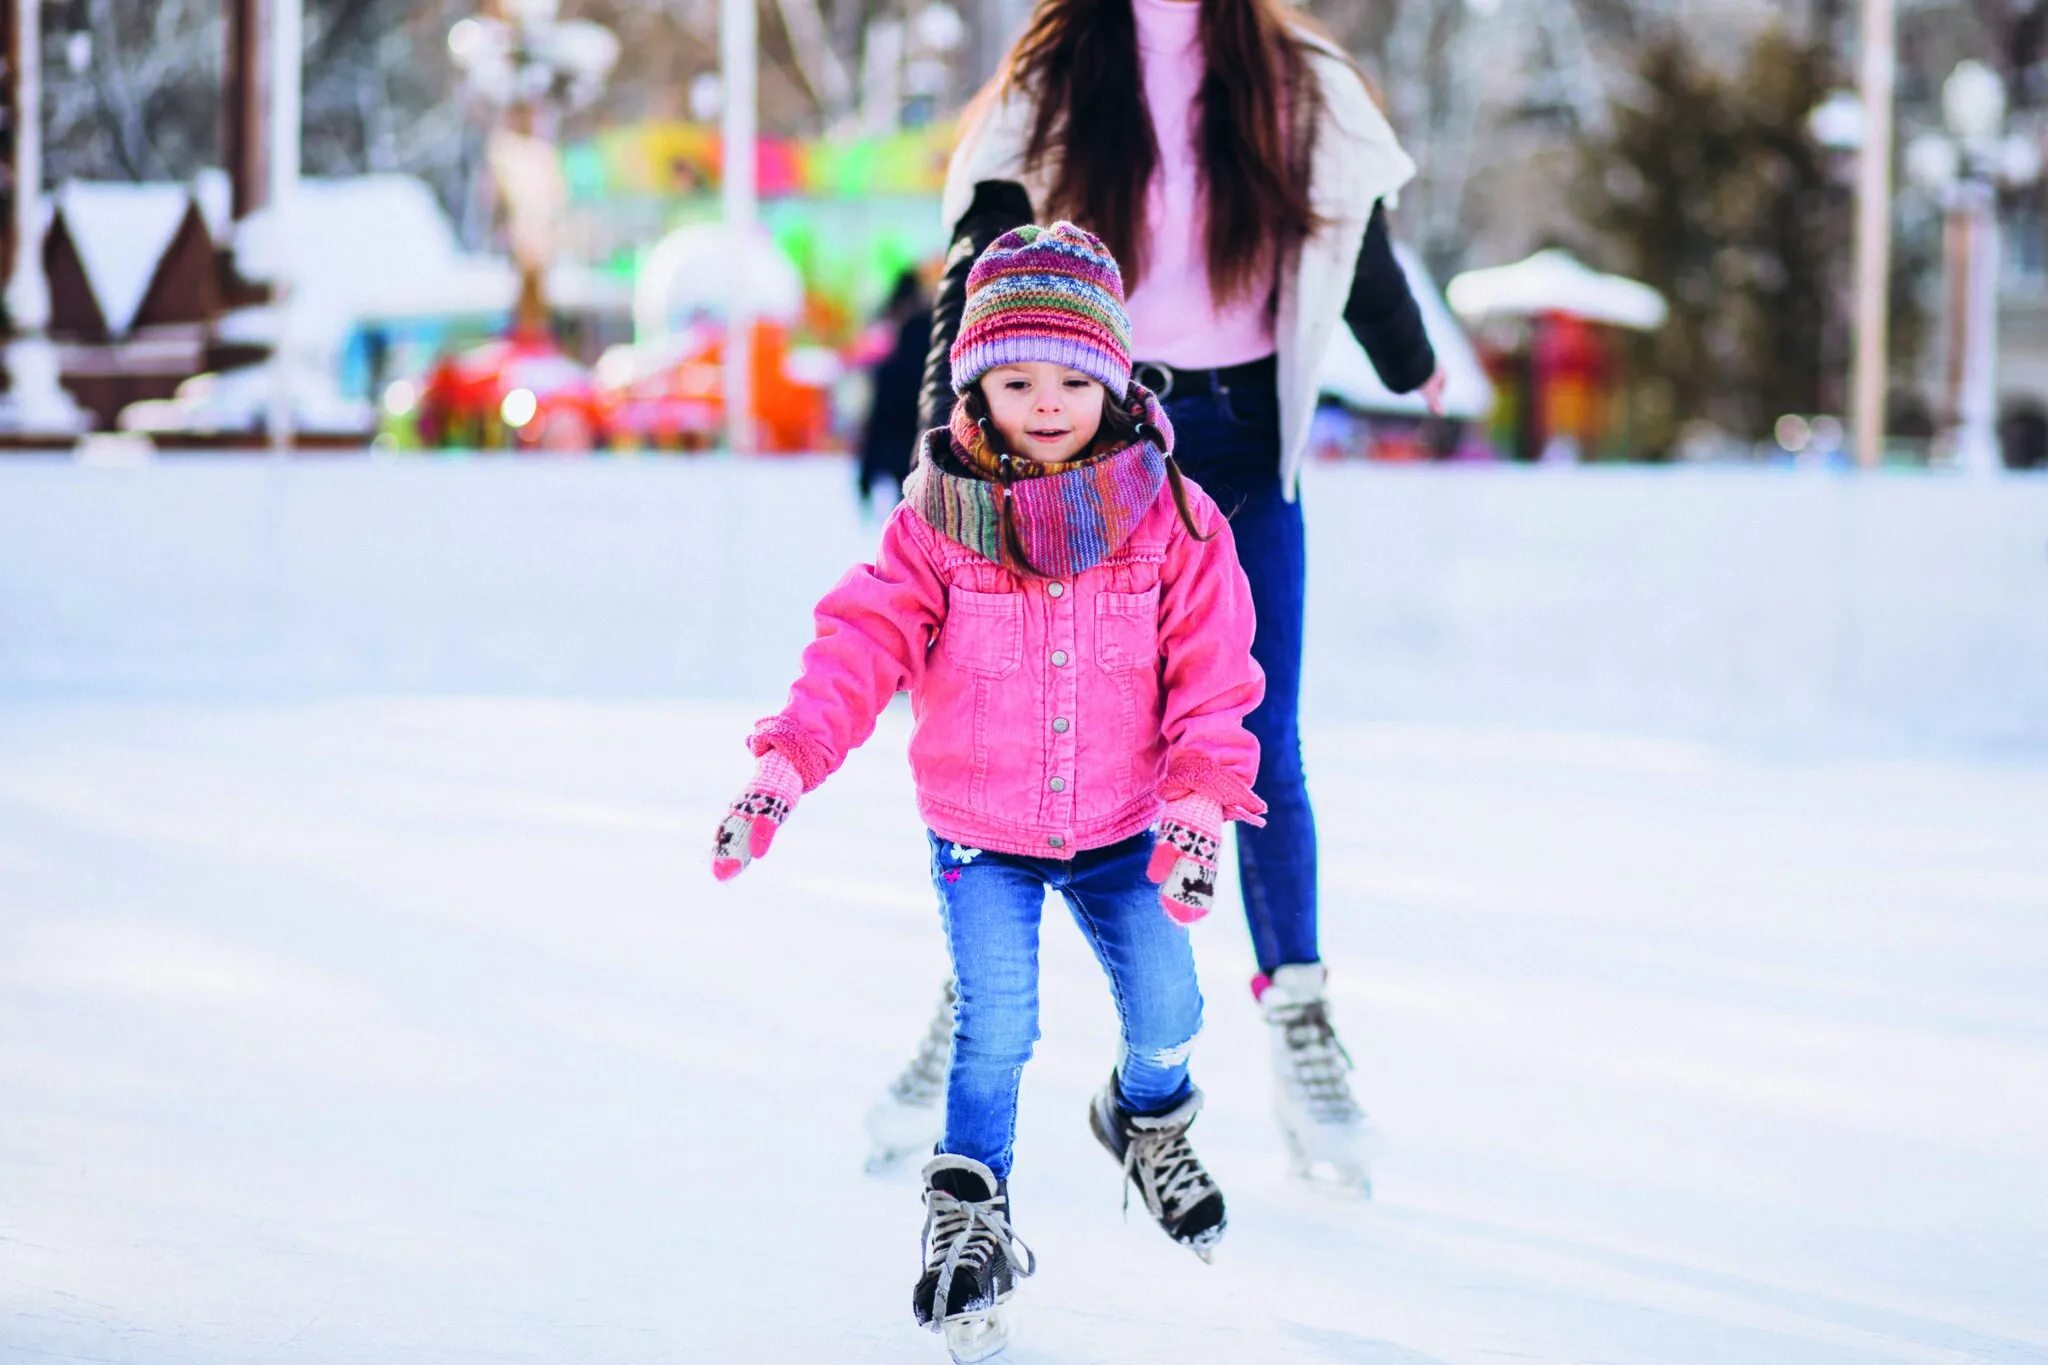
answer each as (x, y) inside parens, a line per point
(992, 906)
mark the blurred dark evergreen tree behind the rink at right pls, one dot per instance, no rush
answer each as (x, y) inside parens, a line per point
(1711, 189)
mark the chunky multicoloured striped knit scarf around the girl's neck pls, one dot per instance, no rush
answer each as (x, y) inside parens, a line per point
(1070, 517)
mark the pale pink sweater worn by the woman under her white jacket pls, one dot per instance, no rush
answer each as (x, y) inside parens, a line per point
(1172, 314)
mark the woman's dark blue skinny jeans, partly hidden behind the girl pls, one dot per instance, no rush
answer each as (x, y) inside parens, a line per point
(1230, 443)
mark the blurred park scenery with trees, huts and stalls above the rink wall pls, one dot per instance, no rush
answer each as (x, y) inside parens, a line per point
(507, 226)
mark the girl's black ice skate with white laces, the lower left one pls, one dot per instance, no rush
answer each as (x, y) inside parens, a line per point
(972, 1258)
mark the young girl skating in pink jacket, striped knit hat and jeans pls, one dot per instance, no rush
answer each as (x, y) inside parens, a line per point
(1076, 635)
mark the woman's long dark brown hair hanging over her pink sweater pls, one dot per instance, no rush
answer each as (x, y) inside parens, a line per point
(1078, 62)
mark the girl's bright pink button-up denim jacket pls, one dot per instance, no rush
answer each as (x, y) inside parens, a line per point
(1050, 715)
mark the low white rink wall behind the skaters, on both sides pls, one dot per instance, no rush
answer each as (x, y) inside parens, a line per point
(1766, 609)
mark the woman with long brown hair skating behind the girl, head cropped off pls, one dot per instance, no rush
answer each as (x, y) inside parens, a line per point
(1238, 167)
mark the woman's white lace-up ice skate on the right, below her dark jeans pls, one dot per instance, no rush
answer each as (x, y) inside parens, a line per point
(1326, 1133)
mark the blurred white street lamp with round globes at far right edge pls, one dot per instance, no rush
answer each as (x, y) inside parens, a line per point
(1967, 165)
